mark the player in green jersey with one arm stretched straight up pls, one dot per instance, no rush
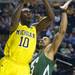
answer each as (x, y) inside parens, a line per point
(43, 64)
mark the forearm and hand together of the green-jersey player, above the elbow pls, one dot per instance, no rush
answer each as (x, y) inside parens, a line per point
(63, 24)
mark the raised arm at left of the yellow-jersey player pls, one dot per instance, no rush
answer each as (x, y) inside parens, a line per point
(15, 16)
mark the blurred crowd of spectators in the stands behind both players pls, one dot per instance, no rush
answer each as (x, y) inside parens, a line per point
(65, 58)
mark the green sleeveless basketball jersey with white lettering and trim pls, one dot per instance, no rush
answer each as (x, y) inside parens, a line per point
(43, 66)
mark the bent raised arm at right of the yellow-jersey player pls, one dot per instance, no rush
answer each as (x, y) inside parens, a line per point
(45, 22)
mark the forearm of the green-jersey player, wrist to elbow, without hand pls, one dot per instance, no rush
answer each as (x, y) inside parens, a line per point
(63, 24)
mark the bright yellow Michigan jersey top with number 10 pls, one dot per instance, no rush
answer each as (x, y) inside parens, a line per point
(21, 44)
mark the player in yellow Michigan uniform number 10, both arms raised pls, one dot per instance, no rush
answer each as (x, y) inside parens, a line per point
(21, 44)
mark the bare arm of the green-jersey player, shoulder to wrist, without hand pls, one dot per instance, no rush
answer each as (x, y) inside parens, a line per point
(53, 48)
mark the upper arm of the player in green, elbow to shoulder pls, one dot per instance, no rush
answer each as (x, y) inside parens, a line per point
(56, 43)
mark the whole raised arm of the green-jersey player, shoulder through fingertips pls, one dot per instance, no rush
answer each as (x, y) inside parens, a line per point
(59, 36)
